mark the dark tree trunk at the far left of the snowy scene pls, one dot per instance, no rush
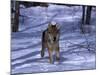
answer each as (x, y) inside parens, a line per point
(16, 18)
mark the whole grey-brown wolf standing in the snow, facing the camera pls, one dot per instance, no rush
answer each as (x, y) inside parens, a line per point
(50, 40)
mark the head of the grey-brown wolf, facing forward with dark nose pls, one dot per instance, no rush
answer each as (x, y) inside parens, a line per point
(53, 32)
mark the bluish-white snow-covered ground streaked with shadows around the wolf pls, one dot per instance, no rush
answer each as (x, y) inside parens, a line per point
(26, 44)
